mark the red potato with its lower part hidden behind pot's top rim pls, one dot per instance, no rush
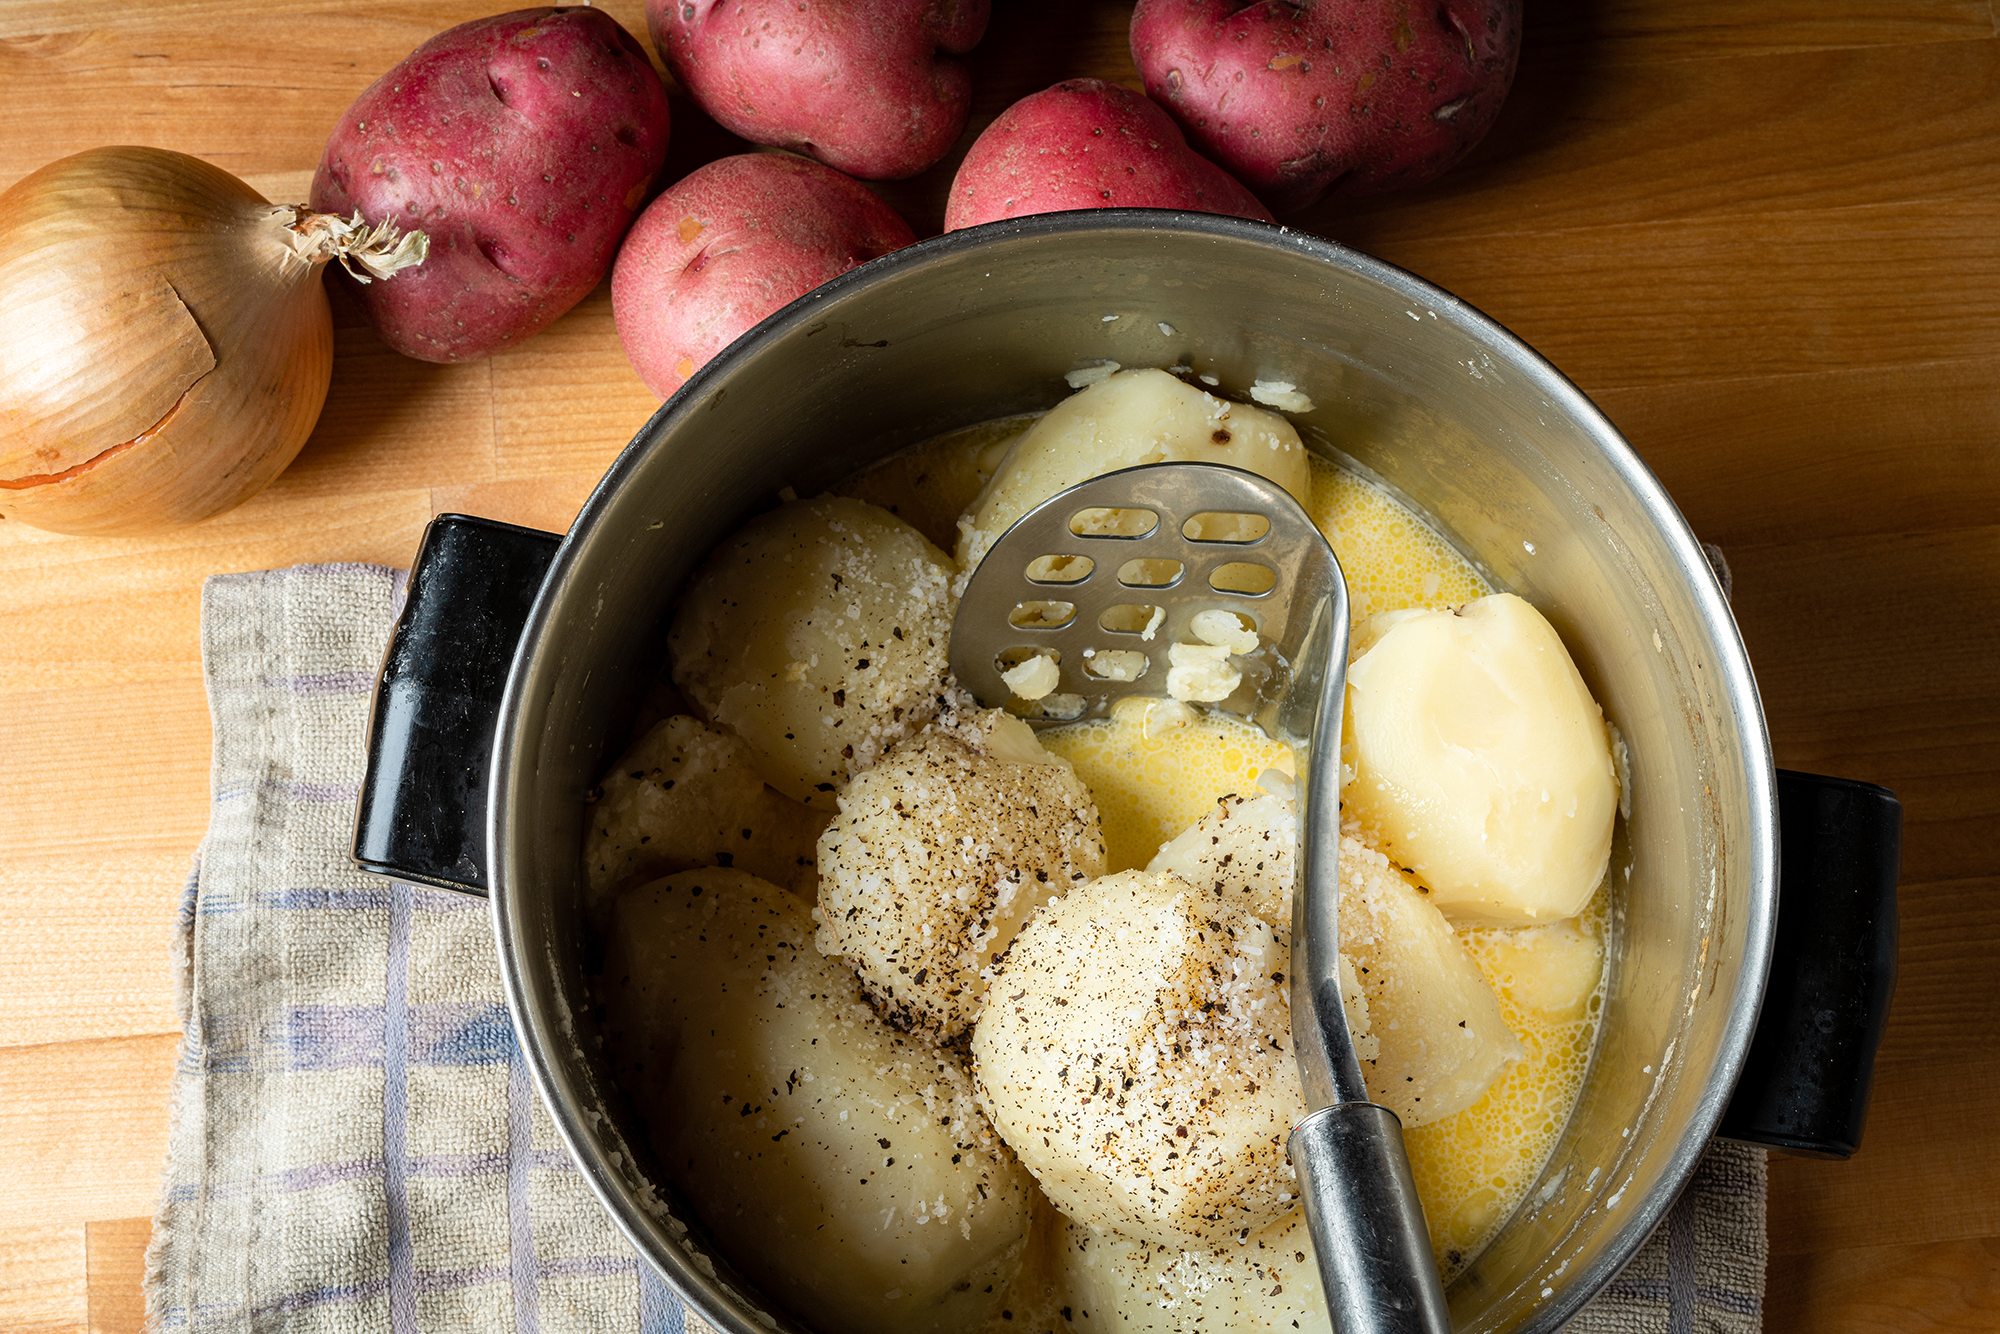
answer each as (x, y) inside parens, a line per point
(1089, 145)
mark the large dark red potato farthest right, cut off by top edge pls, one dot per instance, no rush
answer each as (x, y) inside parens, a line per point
(1305, 99)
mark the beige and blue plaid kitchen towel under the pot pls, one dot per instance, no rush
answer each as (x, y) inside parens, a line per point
(355, 1139)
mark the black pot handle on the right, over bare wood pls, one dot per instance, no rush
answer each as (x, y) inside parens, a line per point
(1833, 969)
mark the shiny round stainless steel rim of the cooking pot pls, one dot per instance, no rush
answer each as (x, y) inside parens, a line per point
(543, 1023)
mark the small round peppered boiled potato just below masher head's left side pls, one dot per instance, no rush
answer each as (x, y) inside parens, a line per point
(941, 853)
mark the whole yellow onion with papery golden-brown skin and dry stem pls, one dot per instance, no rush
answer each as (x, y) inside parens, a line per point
(165, 339)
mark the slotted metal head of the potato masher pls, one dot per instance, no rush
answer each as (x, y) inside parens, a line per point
(1107, 577)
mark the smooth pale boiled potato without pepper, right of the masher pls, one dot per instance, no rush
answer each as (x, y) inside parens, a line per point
(1481, 761)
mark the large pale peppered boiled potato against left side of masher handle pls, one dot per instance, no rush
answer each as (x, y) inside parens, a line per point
(1137, 1053)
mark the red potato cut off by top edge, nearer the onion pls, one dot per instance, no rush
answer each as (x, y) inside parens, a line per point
(857, 85)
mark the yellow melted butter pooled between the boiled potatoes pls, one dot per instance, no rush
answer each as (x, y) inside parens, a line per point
(1153, 781)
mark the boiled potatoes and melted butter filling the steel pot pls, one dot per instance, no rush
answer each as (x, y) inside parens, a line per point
(943, 1025)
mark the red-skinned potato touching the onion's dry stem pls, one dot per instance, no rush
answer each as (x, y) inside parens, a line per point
(523, 145)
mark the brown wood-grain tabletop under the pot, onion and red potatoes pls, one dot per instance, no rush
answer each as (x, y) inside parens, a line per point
(1765, 235)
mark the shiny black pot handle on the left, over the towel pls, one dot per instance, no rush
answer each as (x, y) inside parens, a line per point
(423, 807)
